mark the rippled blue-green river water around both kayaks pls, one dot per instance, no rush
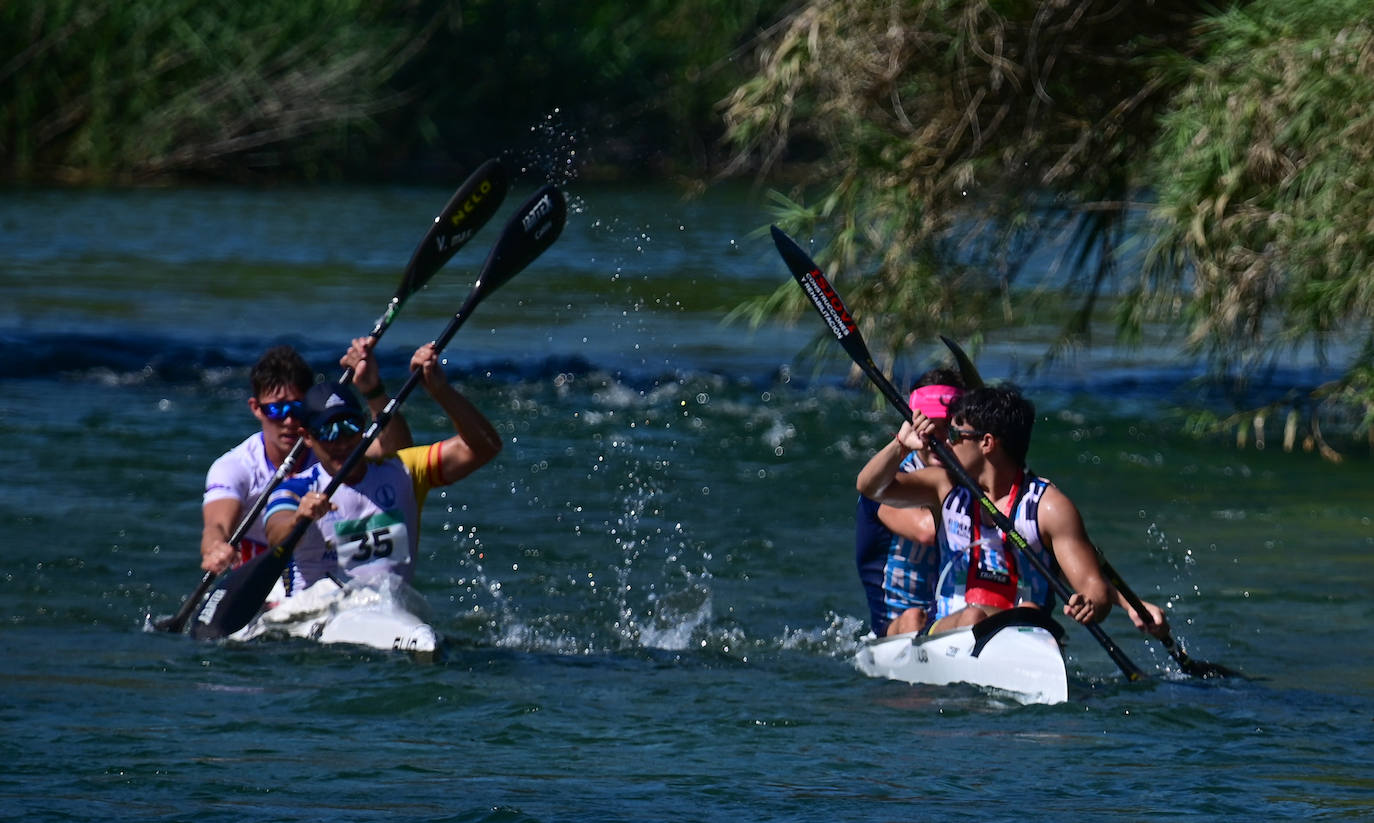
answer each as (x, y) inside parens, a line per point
(649, 598)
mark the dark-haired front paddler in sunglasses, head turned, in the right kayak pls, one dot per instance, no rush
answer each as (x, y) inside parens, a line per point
(990, 433)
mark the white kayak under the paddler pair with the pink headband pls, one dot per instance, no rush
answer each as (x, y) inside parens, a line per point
(1015, 652)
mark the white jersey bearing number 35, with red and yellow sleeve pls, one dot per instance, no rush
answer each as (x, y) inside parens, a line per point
(374, 528)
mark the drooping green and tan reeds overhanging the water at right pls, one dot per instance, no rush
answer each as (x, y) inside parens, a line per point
(956, 138)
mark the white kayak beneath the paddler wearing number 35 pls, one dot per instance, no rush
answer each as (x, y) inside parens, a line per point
(379, 615)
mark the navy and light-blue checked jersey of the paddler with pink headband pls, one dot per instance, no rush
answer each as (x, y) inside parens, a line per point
(897, 574)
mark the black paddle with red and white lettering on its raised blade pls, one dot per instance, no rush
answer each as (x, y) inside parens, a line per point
(837, 318)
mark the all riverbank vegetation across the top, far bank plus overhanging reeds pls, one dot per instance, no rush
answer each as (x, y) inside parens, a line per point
(1196, 168)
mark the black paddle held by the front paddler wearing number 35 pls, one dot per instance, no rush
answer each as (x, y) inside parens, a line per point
(531, 232)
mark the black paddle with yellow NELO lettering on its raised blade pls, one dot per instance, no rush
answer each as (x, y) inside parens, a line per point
(468, 211)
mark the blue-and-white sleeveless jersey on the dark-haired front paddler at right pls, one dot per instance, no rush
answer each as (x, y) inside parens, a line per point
(998, 560)
